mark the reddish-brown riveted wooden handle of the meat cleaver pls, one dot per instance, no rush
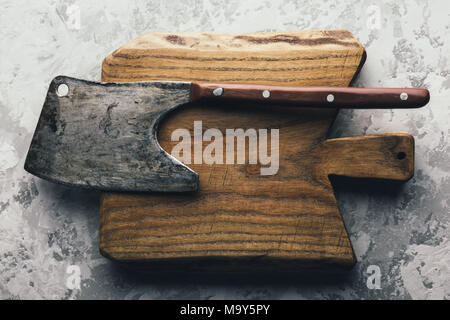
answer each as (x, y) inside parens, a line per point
(326, 97)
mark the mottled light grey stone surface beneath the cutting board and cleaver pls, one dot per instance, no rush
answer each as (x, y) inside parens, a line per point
(404, 230)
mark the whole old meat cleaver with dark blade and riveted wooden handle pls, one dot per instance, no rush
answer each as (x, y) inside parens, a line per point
(104, 135)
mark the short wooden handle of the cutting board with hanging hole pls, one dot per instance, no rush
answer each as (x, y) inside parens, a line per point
(387, 156)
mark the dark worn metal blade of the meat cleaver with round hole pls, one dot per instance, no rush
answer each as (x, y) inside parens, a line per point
(104, 136)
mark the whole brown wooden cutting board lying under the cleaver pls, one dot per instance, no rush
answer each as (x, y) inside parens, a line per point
(240, 220)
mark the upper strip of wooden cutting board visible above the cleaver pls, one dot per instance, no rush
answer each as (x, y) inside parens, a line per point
(289, 58)
